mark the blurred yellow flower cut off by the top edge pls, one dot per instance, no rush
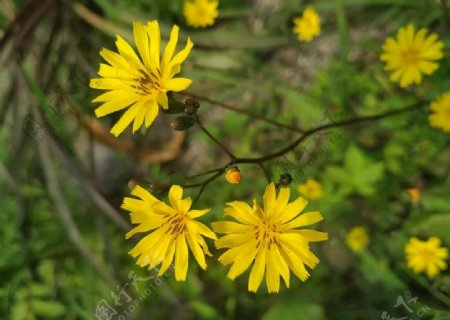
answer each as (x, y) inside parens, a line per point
(200, 13)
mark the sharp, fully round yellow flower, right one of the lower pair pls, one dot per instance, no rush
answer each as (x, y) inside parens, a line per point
(268, 238)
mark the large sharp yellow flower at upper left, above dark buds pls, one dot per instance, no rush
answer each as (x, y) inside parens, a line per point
(140, 83)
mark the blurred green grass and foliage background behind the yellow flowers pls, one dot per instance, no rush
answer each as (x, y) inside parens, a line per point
(63, 176)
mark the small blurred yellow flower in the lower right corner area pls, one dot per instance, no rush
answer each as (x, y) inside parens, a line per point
(426, 256)
